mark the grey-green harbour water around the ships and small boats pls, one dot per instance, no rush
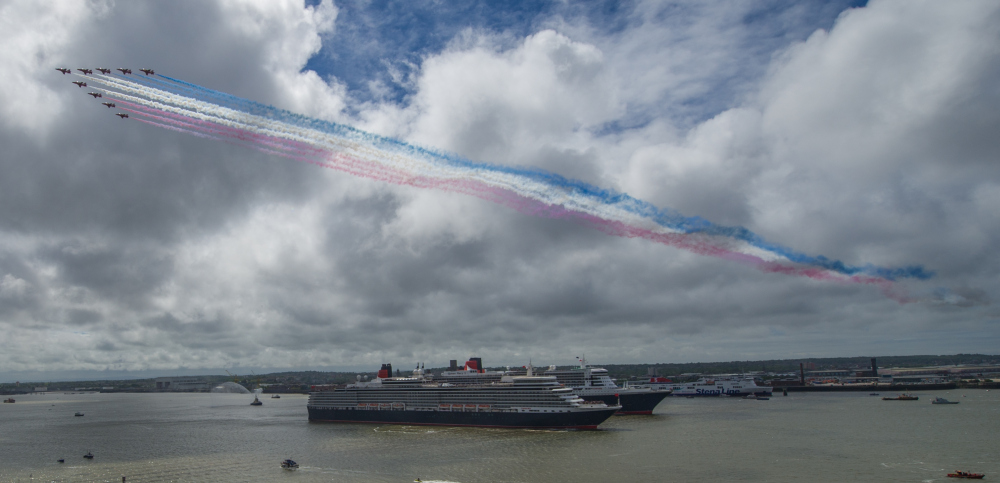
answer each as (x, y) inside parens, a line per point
(220, 437)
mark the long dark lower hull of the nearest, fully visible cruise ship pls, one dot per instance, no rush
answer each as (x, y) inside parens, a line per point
(552, 420)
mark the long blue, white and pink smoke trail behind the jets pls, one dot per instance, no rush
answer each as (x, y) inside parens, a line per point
(189, 108)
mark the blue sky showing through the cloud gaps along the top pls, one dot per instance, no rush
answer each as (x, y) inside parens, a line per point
(385, 41)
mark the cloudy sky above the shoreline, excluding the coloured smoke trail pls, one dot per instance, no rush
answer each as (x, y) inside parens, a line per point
(860, 132)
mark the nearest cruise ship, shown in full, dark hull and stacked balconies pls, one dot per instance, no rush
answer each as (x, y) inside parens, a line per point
(511, 402)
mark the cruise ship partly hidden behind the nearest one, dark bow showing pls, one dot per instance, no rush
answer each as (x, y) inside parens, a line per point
(590, 383)
